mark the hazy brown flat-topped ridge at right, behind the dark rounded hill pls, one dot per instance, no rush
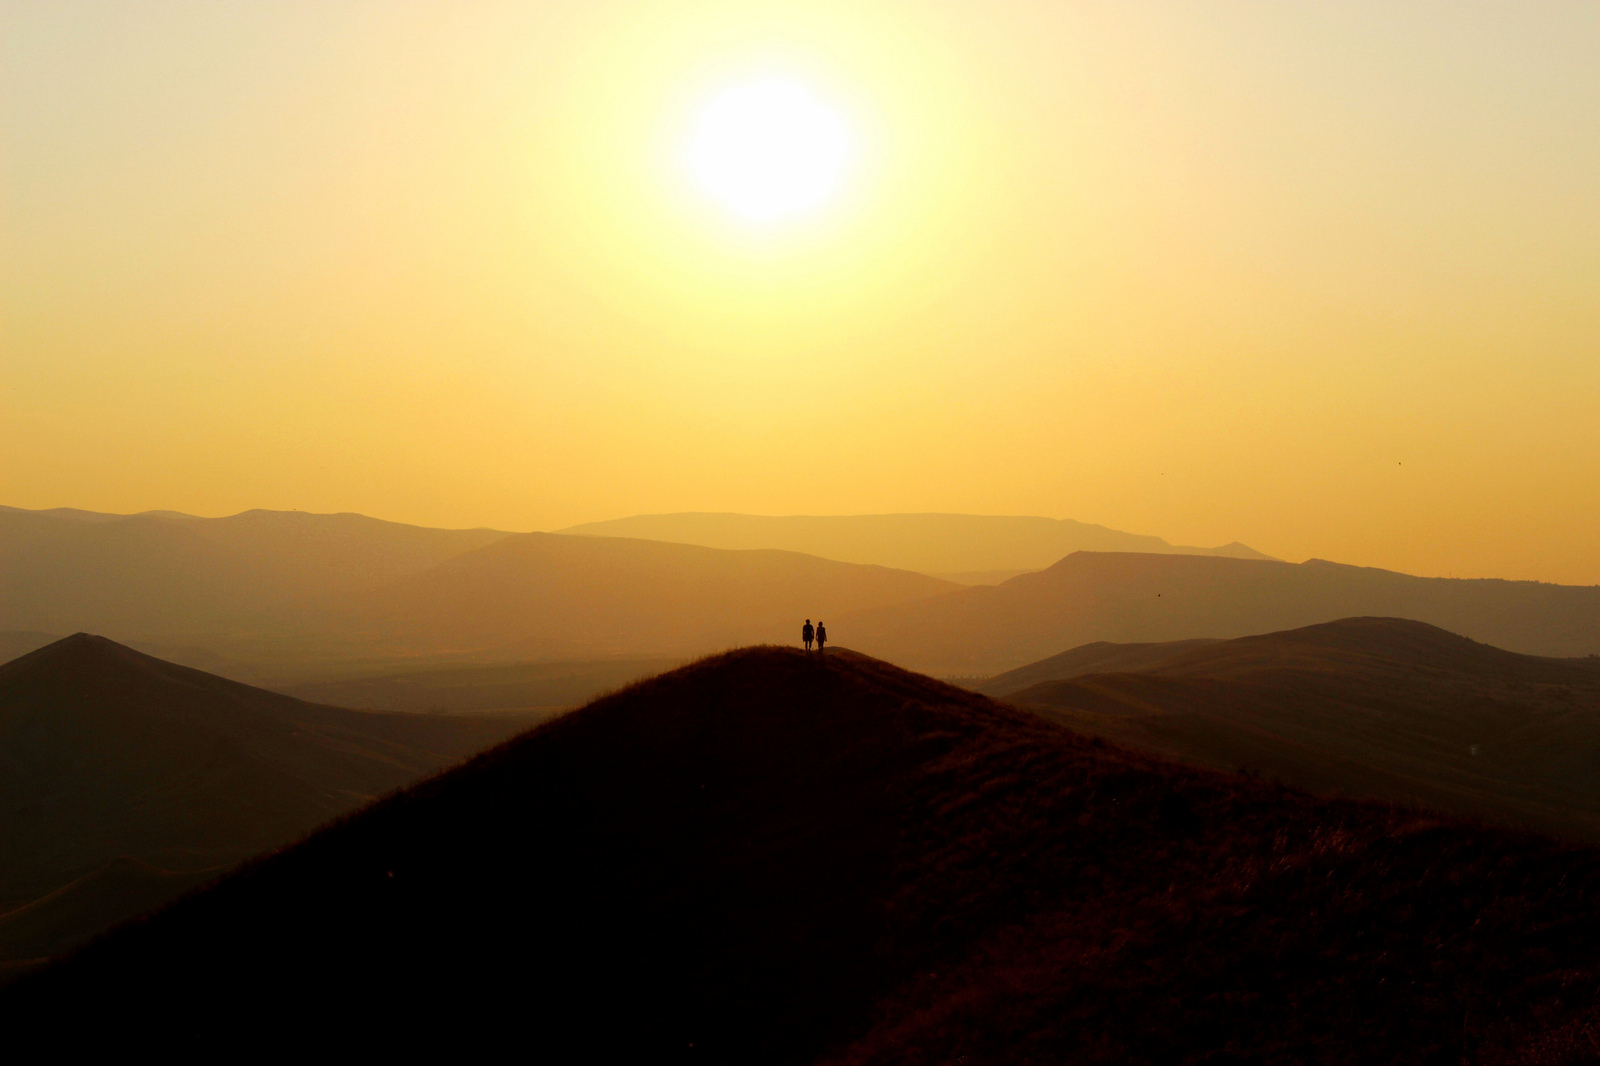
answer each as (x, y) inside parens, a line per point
(1140, 598)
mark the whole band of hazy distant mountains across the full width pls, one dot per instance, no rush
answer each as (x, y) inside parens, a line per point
(294, 598)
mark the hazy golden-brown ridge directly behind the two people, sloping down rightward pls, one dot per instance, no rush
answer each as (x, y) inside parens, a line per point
(553, 596)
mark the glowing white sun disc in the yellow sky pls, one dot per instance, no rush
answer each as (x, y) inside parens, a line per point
(769, 150)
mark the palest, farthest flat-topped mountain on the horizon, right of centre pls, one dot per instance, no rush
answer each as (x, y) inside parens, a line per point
(980, 550)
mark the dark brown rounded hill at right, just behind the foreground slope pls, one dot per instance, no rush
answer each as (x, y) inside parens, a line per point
(1366, 707)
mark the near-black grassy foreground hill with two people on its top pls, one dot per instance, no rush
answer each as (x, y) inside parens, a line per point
(766, 859)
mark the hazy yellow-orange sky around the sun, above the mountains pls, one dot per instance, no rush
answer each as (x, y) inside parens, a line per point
(1321, 278)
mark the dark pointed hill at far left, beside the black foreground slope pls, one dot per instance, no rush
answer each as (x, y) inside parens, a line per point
(124, 779)
